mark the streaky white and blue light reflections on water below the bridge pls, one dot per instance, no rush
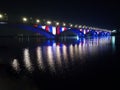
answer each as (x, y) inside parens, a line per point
(60, 55)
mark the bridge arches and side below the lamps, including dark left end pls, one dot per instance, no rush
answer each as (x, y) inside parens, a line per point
(51, 32)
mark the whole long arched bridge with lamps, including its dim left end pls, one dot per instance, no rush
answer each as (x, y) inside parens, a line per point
(51, 30)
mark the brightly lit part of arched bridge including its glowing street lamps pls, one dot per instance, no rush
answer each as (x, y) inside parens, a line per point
(52, 29)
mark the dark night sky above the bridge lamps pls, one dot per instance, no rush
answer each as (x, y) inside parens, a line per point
(104, 14)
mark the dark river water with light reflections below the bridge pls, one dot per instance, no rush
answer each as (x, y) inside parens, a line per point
(35, 64)
